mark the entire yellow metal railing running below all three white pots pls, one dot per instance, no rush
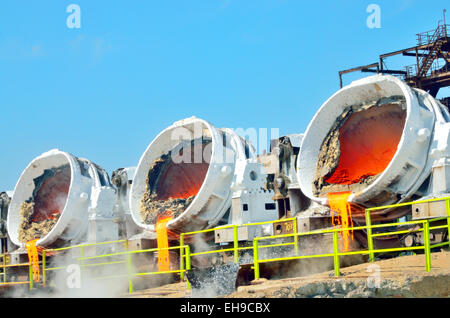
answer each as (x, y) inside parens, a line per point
(125, 257)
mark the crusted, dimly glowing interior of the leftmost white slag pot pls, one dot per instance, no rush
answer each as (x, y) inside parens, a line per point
(41, 212)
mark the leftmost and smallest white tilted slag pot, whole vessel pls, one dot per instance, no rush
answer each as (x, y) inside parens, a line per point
(61, 200)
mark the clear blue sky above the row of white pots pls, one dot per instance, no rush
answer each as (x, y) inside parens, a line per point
(105, 90)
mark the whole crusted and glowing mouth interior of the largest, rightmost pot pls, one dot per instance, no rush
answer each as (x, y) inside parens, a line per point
(360, 145)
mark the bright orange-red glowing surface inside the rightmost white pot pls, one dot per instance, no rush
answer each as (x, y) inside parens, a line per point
(368, 141)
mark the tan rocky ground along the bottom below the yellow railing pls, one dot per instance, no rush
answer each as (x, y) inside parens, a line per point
(403, 276)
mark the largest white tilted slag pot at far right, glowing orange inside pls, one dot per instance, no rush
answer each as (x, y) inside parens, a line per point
(380, 141)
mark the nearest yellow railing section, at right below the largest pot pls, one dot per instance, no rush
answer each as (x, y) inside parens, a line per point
(425, 229)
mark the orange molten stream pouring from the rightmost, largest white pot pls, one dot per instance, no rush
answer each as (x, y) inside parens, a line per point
(338, 202)
